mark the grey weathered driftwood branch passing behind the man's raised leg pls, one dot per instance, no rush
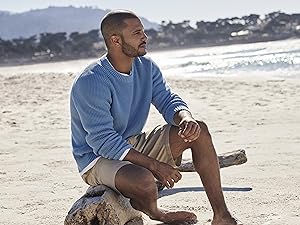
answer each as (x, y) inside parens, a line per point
(226, 159)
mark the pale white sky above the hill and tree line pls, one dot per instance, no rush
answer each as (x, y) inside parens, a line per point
(176, 11)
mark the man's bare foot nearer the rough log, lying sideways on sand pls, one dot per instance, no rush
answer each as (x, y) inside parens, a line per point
(177, 218)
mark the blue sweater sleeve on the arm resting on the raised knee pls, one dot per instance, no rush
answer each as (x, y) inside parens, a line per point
(166, 102)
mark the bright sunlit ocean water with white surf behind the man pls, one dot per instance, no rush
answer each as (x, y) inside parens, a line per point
(280, 59)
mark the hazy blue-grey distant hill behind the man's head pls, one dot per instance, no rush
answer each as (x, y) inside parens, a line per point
(53, 20)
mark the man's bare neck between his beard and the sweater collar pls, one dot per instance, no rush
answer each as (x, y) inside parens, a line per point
(121, 63)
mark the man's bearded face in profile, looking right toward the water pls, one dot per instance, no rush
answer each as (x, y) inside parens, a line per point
(133, 38)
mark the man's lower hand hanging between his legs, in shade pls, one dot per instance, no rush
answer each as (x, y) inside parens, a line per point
(166, 174)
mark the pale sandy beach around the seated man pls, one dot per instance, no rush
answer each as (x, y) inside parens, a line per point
(38, 176)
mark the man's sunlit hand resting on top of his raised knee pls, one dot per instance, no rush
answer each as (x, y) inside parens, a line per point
(189, 129)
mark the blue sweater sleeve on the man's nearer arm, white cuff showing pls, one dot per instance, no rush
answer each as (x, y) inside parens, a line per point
(92, 100)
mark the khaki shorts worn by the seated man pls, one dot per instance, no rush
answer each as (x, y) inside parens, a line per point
(154, 144)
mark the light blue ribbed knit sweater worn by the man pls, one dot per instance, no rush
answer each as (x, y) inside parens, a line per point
(108, 107)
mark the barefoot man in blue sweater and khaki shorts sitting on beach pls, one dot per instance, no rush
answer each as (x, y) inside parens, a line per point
(110, 101)
